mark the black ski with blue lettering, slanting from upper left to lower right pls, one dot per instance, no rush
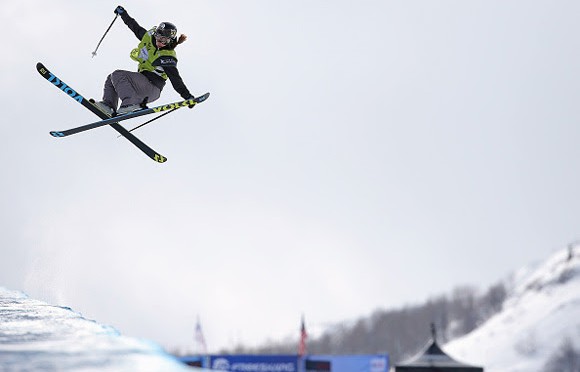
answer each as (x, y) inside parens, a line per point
(85, 102)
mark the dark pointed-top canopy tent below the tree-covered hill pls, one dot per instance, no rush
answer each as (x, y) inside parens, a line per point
(433, 359)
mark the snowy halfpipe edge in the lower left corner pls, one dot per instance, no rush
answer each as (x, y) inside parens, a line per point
(36, 336)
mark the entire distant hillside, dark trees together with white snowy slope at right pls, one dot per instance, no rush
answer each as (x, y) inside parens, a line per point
(518, 324)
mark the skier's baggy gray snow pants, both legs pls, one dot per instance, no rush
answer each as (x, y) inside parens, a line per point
(130, 87)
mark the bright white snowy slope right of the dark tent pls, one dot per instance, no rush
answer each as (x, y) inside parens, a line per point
(542, 310)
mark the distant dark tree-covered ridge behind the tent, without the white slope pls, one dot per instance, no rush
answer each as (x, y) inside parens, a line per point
(400, 332)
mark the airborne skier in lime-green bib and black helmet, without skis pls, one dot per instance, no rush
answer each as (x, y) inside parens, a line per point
(157, 63)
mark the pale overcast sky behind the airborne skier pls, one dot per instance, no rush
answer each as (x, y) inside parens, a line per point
(353, 155)
